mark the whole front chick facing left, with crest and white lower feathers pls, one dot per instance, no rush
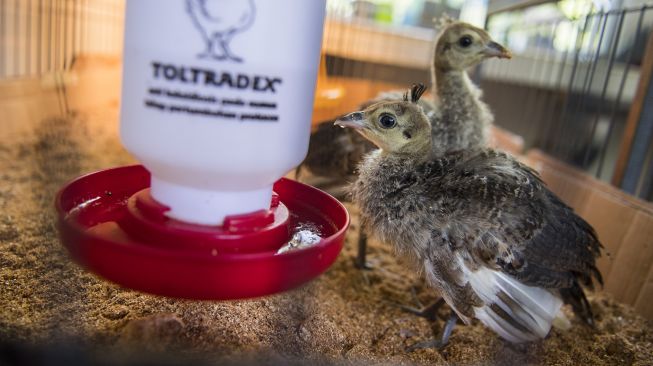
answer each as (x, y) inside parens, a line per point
(490, 237)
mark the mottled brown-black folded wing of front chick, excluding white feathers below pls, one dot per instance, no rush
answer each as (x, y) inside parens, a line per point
(505, 217)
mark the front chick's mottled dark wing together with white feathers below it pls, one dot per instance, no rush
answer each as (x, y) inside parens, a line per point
(514, 241)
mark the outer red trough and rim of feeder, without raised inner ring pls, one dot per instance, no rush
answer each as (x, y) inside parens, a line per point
(92, 211)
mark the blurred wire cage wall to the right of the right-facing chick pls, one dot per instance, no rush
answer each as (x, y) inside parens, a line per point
(572, 86)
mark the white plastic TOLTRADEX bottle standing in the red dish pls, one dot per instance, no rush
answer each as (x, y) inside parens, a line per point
(217, 97)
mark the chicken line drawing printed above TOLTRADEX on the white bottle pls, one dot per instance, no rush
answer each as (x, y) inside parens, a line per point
(219, 21)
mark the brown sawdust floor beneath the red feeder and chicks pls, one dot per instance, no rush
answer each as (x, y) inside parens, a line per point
(345, 316)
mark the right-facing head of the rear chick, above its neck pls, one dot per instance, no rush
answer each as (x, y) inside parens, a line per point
(461, 45)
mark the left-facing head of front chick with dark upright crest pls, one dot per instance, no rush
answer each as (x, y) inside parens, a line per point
(398, 127)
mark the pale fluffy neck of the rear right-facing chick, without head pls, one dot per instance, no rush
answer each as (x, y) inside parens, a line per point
(464, 116)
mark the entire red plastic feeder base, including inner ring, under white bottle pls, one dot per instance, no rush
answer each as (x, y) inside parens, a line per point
(111, 226)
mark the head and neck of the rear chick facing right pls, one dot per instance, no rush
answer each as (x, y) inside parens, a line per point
(463, 119)
